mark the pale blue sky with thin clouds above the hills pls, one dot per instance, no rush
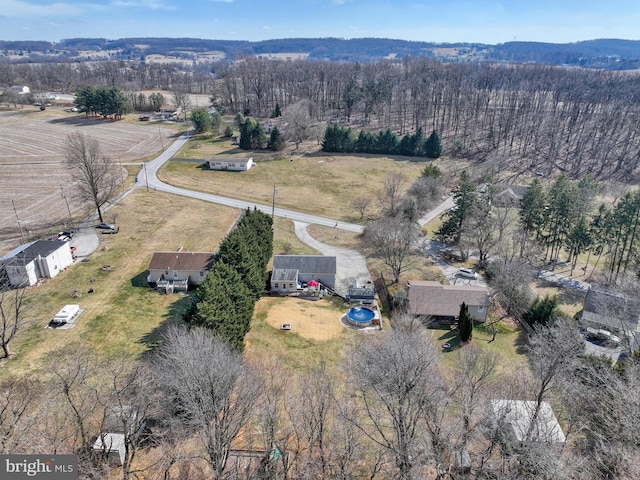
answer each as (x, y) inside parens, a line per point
(484, 21)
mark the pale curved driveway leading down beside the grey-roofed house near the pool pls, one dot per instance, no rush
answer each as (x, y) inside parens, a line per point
(350, 264)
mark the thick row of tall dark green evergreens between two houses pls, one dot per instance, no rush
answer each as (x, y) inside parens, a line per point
(225, 300)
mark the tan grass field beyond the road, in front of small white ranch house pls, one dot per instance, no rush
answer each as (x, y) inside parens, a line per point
(315, 183)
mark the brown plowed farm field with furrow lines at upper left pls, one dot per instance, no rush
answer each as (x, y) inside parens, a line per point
(33, 170)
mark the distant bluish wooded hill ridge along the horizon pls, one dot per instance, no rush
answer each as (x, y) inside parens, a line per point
(610, 54)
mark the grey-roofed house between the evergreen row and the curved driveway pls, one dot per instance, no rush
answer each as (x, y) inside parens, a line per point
(291, 272)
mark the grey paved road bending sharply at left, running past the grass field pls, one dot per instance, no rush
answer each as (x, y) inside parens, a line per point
(148, 177)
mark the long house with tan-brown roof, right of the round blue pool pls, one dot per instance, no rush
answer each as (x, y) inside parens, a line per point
(438, 304)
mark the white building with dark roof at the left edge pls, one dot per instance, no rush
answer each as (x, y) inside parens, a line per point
(40, 259)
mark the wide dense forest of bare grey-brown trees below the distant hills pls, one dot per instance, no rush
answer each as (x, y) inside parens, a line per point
(523, 118)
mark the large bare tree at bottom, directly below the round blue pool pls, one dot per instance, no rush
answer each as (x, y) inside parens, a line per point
(395, 380)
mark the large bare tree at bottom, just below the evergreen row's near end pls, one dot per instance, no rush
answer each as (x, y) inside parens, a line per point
(212, 390)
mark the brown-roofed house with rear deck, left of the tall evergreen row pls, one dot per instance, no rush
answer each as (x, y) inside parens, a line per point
(169, 271)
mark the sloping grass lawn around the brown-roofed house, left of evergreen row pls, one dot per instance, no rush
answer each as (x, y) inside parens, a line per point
(123, 317)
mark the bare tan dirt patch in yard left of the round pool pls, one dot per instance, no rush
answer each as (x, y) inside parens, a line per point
(313, 320)
